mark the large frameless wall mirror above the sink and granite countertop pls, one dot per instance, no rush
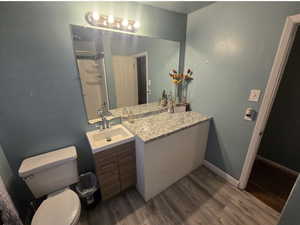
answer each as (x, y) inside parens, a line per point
(119, 69)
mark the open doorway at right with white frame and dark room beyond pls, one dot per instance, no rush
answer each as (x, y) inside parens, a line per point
(271, 166)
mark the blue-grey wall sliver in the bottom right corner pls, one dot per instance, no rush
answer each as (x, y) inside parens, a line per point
(290, 214)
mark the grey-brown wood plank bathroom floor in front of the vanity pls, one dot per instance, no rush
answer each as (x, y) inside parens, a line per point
(200, 198)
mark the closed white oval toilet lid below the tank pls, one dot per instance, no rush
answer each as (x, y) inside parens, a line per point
(60, 208)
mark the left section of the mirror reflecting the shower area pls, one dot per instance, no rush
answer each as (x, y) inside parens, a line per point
(89, 53)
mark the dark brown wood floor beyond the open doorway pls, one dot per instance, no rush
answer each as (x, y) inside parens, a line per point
(270, 184)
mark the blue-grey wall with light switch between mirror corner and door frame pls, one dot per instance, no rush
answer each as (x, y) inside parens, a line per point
(230, 46)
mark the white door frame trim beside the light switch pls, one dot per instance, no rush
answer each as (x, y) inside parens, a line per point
(281, 57)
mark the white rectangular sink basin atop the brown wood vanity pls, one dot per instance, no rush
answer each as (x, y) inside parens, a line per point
(103, 139)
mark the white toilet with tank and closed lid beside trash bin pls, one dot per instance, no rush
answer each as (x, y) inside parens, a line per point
(51, 174)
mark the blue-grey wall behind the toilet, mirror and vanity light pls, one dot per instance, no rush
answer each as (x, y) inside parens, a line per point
(41, 104)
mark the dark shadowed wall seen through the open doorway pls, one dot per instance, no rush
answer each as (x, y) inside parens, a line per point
(280, 142)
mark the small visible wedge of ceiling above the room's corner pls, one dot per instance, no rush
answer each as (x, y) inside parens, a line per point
(184, 7)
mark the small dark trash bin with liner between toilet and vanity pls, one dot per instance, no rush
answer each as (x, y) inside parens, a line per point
(86, 187)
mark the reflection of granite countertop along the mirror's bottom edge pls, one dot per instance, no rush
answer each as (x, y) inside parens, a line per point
(139, 110)
